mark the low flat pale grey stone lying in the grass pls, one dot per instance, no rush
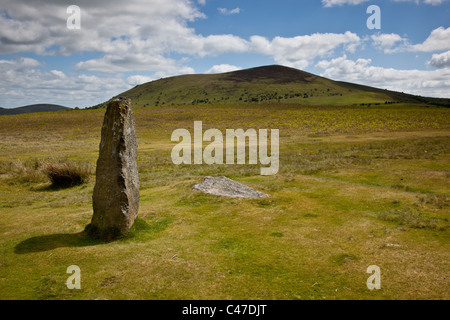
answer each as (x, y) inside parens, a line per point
(223, 186)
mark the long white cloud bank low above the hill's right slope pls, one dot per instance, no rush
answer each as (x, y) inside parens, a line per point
(434, 83)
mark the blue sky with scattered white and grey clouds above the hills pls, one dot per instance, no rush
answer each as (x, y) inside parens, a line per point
(49, 54)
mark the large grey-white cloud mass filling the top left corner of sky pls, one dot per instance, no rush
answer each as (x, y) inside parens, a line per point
(106, 26)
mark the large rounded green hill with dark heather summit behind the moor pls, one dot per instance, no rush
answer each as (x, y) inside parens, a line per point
(265, 84)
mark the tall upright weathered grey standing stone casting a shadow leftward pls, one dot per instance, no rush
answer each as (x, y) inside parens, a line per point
(116, 191)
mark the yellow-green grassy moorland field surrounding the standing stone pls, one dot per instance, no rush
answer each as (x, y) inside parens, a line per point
(357, 186)
